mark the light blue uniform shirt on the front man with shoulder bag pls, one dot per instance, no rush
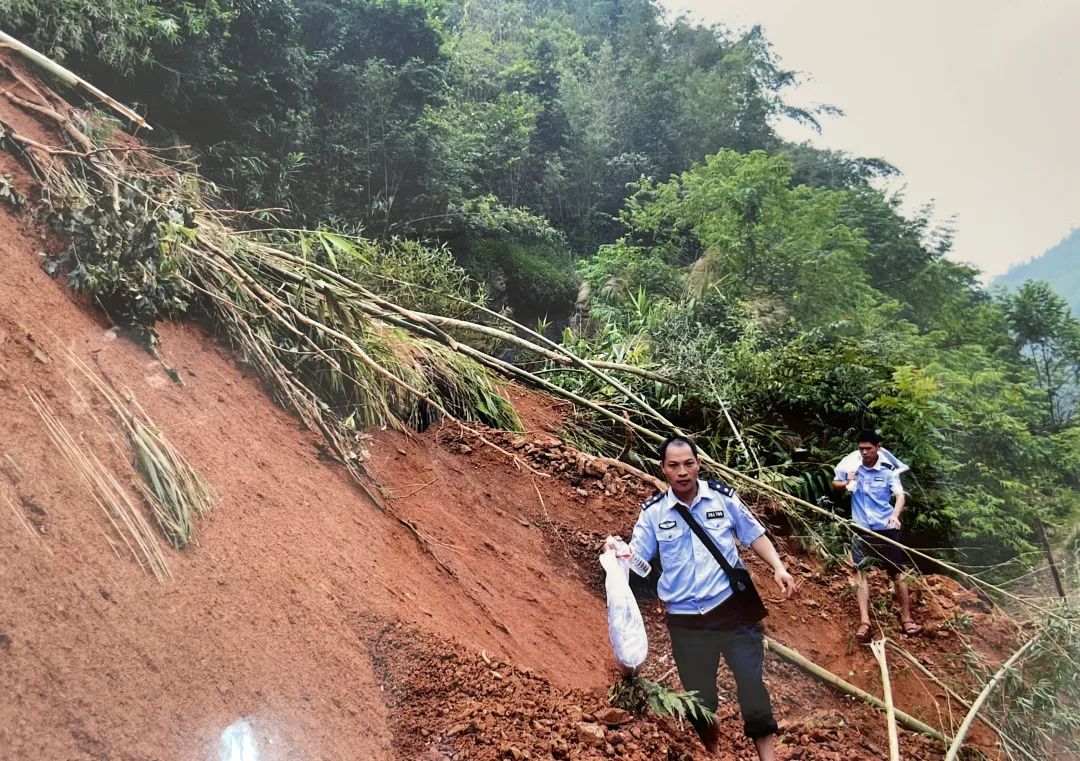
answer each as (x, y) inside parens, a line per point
(693, 581)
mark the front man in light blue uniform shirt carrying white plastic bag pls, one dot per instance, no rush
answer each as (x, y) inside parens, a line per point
(704, 621)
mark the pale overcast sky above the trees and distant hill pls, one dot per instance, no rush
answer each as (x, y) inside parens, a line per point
(976, 102)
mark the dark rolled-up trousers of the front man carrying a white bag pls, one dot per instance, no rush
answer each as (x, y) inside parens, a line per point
(697, 655)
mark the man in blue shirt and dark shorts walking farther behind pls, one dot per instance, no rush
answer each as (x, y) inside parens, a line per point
(873, 485)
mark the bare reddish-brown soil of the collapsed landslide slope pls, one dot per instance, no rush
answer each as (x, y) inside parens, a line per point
(312, 613)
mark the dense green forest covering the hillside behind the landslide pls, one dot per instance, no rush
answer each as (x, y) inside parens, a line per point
(616, 176)
